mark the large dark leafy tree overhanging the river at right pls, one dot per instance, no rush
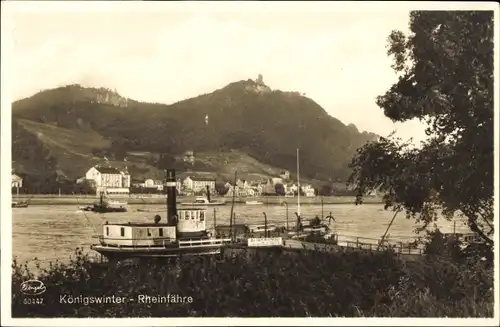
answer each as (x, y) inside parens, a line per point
(446, 80)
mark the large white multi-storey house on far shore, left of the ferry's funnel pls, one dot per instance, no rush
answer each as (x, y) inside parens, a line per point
(109, 180)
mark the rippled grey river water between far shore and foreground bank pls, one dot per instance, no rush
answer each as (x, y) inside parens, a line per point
(51, 232)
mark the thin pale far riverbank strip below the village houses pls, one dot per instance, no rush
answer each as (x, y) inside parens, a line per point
(142, 199)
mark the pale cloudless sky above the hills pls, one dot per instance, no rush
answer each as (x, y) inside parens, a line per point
(167, 52)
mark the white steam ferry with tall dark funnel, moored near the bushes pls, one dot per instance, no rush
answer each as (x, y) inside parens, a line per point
(184, 233)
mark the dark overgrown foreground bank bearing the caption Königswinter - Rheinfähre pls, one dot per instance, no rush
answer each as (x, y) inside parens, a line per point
(309, 284)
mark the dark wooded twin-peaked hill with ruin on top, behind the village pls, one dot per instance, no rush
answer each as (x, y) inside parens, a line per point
(61, 132)
